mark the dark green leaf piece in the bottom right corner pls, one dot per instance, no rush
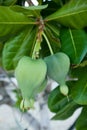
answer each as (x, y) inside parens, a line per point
(81, 123)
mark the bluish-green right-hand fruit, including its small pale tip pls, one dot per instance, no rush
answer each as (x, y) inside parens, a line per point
(58, 67)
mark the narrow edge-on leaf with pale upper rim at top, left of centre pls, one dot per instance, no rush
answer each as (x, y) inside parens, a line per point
(30, 11)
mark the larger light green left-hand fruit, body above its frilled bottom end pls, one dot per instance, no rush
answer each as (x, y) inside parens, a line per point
(30, 74)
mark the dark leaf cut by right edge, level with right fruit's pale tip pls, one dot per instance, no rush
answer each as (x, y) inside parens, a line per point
(79, 87)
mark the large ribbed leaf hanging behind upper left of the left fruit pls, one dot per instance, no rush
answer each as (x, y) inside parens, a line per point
(17, 47)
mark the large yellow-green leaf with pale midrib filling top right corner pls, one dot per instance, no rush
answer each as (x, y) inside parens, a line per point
(73, 14)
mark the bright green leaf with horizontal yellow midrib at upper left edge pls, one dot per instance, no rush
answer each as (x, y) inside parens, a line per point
(11, 22)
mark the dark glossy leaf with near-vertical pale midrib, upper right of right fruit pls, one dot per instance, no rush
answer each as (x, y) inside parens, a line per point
(74, 44)
